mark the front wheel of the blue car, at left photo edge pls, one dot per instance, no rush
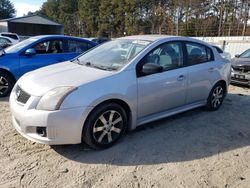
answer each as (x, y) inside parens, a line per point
(6, 84)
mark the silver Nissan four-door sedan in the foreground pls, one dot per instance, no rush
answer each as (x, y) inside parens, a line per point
(104, 92)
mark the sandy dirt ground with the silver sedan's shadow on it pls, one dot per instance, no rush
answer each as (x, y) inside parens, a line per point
(193, 149)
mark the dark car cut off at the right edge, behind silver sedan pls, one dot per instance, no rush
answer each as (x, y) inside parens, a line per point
(241, 69)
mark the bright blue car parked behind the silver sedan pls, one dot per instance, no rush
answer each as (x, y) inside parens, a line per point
(37, 52)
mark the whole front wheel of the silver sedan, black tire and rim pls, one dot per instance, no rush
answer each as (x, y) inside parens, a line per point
(105, 126)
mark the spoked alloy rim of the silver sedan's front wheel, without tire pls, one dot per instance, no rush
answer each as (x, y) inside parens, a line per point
(108, 127)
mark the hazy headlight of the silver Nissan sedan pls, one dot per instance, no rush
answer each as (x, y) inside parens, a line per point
(53, 99)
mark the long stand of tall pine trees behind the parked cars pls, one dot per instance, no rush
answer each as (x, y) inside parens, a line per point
(114, 18)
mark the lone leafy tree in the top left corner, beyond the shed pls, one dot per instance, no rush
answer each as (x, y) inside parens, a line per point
(7, 9)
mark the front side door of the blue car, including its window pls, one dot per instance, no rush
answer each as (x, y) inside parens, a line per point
(48, 52)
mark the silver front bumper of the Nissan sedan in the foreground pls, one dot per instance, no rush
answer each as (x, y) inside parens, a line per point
(62, 126)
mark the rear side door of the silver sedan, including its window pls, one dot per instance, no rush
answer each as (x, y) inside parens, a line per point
(201, 71)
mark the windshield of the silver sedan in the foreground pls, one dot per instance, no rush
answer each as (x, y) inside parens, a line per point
(112, 55)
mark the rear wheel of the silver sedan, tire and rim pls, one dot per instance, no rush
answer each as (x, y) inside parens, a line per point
(216, 97)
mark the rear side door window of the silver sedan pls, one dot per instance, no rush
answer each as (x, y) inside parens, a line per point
(198, 53)
